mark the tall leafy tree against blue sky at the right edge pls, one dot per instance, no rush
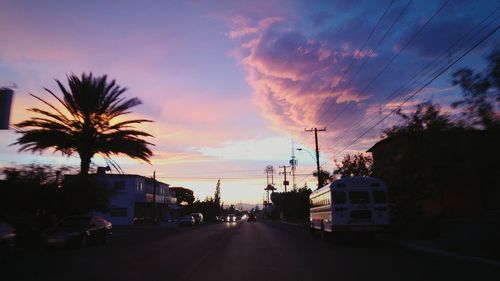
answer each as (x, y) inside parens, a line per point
(481, 93)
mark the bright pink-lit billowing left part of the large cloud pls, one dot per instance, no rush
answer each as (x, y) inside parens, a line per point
(292, 75)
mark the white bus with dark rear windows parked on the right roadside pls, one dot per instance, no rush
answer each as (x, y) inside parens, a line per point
(350, 204)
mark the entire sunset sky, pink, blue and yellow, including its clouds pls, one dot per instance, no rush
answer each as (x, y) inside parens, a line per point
(229, 83)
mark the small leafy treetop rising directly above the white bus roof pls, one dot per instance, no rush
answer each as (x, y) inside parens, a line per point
(355, 165)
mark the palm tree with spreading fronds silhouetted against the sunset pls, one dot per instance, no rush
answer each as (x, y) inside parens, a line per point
(87, 124)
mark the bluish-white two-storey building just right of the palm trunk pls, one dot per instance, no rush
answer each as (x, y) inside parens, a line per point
(137, 199)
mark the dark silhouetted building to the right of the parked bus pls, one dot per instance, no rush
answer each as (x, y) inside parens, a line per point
(450, 173)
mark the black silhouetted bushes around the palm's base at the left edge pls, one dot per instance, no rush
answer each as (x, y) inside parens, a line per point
(33, 197)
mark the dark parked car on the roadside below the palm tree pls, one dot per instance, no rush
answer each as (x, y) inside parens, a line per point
(78, 231)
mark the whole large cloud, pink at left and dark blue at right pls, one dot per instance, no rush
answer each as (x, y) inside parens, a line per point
(314, 76)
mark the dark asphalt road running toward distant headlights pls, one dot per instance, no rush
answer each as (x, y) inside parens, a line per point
(237, 251)
